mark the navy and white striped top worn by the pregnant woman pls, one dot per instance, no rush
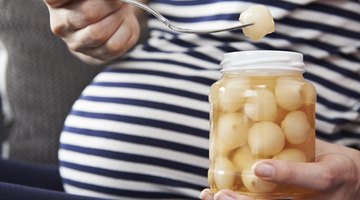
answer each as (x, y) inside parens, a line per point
(140, 129)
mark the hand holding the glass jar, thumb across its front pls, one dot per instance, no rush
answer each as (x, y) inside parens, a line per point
(335, 174)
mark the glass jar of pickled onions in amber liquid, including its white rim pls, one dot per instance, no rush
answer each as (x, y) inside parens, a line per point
(261, 108)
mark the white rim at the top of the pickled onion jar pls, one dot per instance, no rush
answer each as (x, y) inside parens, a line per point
(262, 59)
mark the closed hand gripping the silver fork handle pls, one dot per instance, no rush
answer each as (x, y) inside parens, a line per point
(95, 31)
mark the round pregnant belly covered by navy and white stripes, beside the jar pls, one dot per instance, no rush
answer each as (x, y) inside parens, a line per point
(130, 136)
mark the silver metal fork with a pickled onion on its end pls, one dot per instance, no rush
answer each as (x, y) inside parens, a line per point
(181, 29)
